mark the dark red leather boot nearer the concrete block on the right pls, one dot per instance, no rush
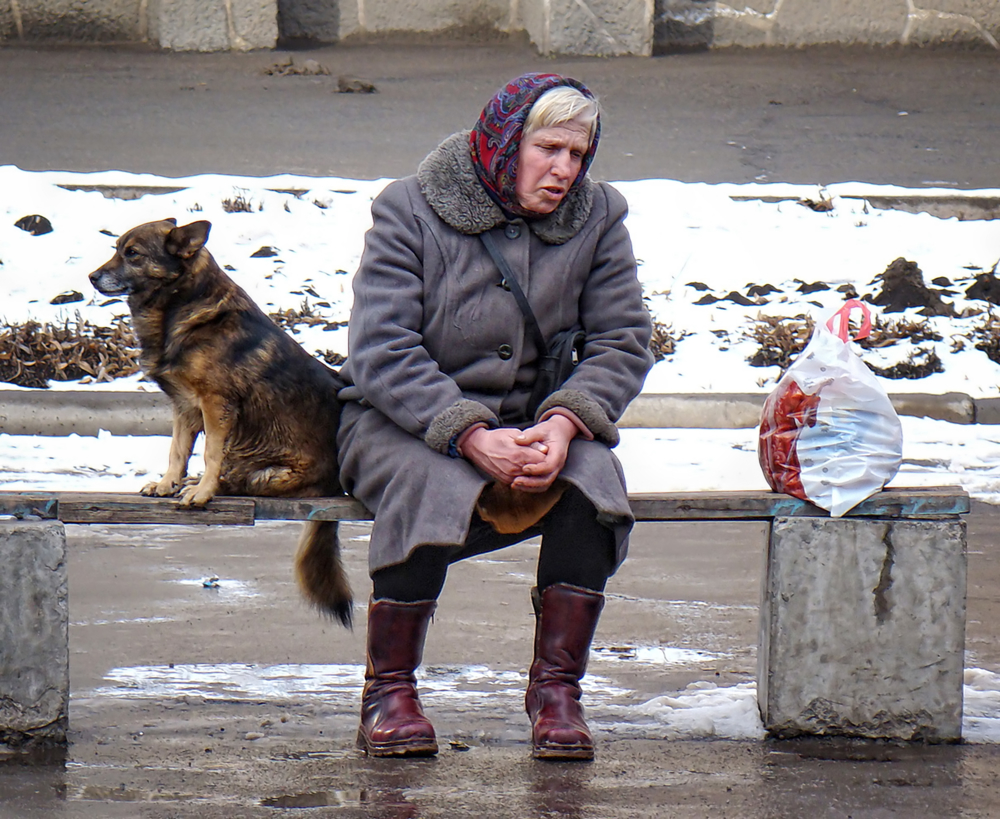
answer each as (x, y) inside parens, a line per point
(566, 620)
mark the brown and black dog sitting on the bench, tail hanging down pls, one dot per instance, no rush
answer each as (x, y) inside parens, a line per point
(268, 409)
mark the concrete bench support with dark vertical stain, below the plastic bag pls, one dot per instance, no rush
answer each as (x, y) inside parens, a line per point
(863, 629)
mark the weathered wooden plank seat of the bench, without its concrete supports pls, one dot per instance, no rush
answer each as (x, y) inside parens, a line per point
(92, 507)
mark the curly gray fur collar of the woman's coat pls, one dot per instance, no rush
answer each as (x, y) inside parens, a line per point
(449, 184)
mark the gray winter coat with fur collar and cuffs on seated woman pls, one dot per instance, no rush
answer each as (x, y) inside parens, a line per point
(436, 344)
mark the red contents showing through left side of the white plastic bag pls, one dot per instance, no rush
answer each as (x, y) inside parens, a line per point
(785, 414)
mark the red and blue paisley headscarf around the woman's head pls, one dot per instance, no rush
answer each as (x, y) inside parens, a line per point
(496, 138)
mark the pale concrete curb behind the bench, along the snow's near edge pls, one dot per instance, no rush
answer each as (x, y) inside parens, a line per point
(45, 412)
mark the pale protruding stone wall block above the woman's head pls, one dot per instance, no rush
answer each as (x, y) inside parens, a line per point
(593, 28)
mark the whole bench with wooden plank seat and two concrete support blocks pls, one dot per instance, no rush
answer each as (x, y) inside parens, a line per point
(862, 619)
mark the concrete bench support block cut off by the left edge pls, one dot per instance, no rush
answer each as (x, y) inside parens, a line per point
(34, 633)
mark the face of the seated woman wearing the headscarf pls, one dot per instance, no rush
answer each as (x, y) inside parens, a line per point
(548, 163)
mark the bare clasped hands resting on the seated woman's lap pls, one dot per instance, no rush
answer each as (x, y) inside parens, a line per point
(529, 460)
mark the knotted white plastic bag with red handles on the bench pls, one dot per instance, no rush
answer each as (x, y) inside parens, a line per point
(828, 432)
